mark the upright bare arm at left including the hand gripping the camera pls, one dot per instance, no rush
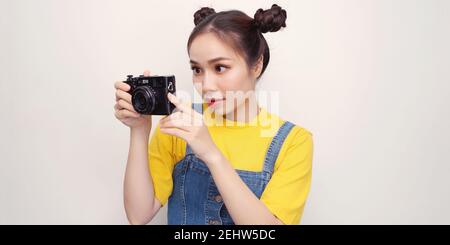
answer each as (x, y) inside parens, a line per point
(139, 198)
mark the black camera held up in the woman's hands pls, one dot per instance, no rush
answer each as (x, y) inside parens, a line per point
(149, 94)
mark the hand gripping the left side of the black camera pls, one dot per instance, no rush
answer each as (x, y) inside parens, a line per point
(124, 110)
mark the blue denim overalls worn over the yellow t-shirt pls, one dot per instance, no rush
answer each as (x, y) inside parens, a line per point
(195, 198)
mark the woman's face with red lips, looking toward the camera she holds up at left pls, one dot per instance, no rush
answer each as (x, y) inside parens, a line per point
(220, 74)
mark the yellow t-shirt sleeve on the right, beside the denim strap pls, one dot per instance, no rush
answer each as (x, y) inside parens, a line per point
(285, 194)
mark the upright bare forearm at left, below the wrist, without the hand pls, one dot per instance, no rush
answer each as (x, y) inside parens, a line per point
(139, 195)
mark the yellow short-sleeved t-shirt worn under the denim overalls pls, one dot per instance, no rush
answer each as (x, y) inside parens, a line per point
(245, 147)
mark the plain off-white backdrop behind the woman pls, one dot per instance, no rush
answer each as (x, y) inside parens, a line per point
(369, 79)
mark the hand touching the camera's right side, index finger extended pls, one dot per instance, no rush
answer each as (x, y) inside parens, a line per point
(188, 124)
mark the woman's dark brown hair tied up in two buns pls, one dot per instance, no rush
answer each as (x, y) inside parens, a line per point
(242, 32)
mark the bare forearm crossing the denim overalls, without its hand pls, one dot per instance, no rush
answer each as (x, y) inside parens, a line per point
(244, 207)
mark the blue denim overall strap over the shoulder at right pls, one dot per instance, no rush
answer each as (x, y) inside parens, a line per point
(275, 146)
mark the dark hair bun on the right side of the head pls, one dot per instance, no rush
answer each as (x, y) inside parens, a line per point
(270, 20)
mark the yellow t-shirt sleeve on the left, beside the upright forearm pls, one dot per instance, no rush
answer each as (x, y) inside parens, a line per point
(161, 163)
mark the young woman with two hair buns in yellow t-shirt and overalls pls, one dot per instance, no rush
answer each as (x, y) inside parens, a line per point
(208, 171)
